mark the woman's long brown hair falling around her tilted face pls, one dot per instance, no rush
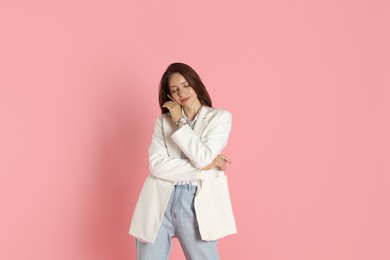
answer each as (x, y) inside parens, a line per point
(193, 80)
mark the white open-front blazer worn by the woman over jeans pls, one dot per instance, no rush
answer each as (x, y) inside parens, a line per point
(202, 145)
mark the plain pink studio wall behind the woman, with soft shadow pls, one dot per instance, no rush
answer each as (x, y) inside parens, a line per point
(307, 83)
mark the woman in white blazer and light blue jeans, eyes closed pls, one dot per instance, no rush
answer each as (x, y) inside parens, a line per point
(186, 194)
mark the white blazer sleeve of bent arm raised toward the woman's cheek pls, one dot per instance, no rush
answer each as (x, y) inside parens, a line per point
(203, 150)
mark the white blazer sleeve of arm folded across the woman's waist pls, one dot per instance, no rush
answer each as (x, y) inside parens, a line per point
(162, 165)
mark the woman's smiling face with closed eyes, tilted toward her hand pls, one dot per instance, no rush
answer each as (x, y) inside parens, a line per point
(181, 91)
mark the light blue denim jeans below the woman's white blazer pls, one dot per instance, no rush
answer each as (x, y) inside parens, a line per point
(179, 221)
